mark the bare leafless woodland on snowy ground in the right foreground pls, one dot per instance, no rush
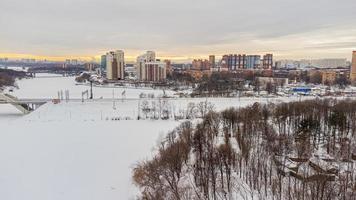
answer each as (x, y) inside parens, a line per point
(289, 151)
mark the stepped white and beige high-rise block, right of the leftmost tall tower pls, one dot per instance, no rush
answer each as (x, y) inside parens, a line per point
(149, 69)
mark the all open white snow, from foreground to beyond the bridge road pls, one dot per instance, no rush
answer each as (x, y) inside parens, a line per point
(75, 150)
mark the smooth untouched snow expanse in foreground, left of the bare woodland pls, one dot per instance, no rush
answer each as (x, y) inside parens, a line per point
(71, 160)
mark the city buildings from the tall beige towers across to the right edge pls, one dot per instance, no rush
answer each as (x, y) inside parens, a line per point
(148, 68)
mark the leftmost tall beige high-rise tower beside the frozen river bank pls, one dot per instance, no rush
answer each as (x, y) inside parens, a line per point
(115, 65)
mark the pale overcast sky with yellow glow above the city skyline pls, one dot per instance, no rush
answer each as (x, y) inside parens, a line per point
(177, 29)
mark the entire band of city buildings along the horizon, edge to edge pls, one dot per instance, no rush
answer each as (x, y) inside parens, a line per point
(147, 68)
